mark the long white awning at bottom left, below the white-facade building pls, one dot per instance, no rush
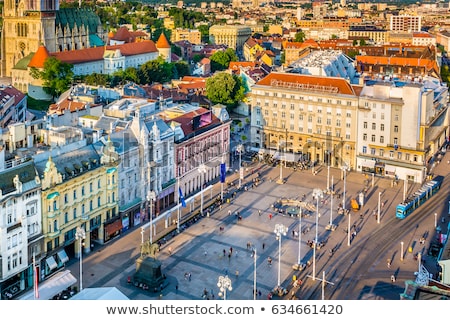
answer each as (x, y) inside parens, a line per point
(52, 286)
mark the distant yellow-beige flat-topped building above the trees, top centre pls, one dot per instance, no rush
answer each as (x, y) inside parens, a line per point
(234, 36)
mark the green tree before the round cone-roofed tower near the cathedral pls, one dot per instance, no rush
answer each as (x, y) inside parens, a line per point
(56, 76)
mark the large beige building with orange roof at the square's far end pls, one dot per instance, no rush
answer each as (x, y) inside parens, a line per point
(307, 116)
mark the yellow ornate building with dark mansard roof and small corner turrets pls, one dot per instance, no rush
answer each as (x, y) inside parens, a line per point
(79, 190)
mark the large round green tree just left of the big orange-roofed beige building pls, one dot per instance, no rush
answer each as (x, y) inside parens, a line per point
(225, 88)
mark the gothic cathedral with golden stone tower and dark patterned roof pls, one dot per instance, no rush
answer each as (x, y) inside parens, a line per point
(27, 24)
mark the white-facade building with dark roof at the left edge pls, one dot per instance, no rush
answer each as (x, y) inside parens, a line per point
(20, 223)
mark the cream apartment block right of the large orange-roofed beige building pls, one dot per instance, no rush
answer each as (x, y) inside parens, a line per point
(401, 125)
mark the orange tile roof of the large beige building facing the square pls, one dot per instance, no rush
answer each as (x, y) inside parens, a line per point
(307, 82)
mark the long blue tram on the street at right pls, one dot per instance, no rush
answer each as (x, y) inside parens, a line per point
(419, 197)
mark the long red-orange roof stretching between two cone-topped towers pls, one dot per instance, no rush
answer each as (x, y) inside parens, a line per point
(95, 54)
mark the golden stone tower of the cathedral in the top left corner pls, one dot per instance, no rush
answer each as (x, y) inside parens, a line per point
(26, 25)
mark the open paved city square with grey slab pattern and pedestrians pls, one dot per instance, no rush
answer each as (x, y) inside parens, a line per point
(222, 245)
